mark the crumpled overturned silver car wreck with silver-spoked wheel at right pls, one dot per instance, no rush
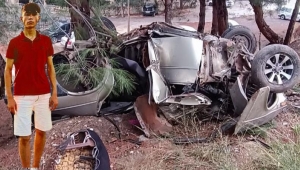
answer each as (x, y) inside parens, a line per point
(215, 77)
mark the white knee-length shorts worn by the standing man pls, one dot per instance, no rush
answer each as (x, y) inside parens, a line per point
(42, 114)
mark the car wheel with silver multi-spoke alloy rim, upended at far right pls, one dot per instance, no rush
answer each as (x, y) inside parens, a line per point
(276, 66)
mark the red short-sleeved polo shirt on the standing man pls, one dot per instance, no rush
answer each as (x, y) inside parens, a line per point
(30, 59)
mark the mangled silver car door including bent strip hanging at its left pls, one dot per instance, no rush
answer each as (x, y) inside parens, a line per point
(174, 60)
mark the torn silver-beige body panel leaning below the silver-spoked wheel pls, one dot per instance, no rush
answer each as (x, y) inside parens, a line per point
(257, 112)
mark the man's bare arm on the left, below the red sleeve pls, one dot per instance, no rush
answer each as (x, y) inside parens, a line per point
(8, 77)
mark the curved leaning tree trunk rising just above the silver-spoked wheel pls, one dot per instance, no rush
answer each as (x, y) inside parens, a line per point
(262, 25)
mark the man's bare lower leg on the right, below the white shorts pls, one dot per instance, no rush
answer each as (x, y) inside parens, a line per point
(39, 144)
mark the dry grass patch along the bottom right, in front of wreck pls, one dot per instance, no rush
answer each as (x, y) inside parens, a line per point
(225, 153)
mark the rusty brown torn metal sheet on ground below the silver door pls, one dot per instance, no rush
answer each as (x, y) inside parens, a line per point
(151, 122)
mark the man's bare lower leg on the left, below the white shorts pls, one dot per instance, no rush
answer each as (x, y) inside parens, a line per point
(24, 151)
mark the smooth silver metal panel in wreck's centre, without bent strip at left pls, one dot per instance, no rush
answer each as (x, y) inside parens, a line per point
(179, 58)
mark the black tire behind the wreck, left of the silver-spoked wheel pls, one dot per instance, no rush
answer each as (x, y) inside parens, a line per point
(243, 32)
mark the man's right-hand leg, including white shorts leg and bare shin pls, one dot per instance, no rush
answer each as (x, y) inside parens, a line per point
(42, 123)
